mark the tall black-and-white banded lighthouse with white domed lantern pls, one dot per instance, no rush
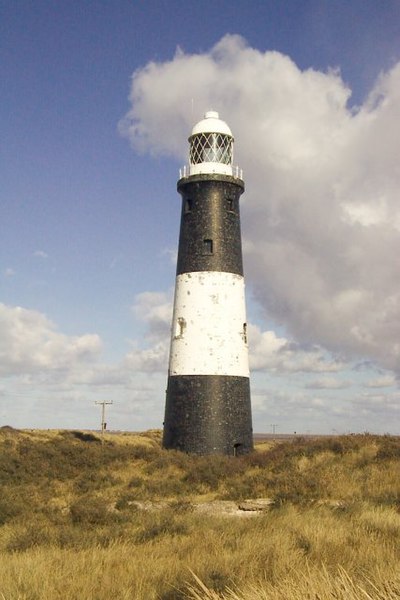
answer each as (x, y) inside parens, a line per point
(208, 409)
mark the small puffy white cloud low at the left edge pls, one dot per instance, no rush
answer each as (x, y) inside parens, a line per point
(30, 343)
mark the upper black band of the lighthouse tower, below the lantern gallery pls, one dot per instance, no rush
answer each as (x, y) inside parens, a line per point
(210, 238)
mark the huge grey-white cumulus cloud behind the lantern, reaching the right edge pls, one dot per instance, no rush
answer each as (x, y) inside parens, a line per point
(321, 218)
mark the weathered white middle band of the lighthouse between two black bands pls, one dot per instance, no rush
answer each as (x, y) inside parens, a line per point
(209, 325)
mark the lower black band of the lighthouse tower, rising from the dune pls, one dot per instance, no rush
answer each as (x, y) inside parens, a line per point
(208, 414)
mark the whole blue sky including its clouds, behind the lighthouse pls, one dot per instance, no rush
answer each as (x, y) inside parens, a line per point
(97, 102)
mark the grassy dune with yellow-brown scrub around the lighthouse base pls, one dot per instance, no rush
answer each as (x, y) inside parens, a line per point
(122, 520)
